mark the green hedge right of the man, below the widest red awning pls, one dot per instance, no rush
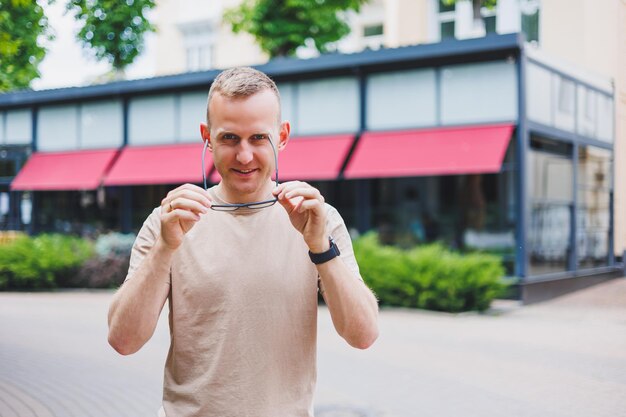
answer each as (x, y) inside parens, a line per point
(429, 277)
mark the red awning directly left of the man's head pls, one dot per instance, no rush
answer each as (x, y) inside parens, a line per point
(170, 164)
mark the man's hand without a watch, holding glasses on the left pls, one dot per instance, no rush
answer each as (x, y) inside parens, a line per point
(180, 210)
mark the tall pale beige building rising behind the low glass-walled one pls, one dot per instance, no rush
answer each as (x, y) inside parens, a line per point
(585, 36)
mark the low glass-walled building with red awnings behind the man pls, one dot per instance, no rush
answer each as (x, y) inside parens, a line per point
(483, 144)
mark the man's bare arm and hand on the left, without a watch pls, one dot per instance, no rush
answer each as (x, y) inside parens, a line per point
(136, 307)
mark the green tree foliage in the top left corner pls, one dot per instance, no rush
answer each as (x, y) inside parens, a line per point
(23, 26)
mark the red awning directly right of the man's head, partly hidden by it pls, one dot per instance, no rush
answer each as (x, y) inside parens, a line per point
(311, 158)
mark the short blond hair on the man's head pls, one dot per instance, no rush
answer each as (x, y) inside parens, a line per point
(241, 82)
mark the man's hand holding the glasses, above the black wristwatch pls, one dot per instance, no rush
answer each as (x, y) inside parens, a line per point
(305, 207)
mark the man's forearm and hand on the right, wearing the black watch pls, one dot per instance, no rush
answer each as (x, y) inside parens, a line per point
(352, 306)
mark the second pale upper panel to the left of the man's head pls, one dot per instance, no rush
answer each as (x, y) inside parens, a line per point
(152, 120)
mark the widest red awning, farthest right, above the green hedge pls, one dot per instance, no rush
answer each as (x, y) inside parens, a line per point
(443, 151)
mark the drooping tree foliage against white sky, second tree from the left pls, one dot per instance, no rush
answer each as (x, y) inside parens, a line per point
(114, 30)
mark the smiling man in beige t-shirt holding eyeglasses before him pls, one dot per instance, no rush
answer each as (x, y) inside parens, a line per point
(242, 279)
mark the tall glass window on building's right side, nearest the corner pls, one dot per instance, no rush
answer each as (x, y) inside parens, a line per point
(550, 192)
